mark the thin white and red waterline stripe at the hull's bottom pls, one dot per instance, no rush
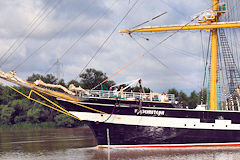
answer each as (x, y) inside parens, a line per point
(174, 145)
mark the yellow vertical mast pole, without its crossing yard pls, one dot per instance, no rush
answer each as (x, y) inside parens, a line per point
(213, 80)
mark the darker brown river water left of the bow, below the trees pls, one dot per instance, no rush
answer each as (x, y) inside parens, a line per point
(45, 140)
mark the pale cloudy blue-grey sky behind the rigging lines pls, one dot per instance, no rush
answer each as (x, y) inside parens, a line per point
(118, 51)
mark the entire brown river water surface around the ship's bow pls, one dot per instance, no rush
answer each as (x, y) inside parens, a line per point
(79, 144)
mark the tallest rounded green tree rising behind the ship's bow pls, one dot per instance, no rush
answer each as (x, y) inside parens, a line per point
(92, 77)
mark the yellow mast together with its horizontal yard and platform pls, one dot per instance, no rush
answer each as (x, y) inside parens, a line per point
(208, 21)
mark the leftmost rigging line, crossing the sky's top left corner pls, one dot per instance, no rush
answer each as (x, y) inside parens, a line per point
(34, 20)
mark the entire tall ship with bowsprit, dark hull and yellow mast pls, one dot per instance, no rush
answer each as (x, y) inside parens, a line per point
(137, 119)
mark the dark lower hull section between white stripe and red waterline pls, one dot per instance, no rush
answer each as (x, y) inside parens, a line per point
(141, 135)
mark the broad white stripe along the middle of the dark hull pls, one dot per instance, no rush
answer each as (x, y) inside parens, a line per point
(172, 122)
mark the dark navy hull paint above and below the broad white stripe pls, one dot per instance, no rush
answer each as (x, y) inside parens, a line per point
(121, 134)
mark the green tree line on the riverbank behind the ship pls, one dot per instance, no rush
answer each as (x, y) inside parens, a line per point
(17, 111)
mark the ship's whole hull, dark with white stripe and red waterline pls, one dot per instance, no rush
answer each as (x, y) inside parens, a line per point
(127, 125)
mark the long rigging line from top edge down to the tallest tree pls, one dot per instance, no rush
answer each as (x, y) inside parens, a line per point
(98, 50)
